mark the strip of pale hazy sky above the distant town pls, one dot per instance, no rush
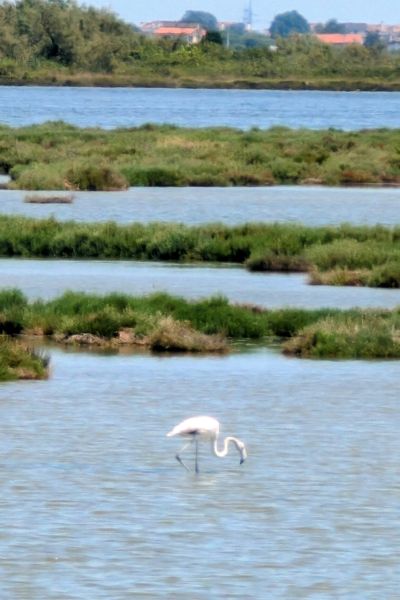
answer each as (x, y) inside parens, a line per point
(386, 11)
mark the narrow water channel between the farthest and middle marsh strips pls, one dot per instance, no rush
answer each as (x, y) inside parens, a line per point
(311, 205)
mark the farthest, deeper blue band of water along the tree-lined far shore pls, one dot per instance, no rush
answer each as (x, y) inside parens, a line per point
(127, 107)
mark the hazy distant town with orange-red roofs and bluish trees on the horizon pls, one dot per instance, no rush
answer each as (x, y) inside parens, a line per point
(195, 26)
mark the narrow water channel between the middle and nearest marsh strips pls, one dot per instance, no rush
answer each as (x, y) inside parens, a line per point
(50, 278)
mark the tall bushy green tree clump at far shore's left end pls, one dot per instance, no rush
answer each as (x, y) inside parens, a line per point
(63, 32)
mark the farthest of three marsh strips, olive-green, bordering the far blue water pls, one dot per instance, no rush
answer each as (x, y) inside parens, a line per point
(57, 156)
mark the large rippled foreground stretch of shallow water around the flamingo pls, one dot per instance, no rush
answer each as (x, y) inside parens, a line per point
(94, 504)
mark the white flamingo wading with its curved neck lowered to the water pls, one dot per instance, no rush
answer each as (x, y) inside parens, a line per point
(202, 428)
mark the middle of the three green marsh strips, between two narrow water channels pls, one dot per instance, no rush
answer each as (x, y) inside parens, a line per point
(342, 255)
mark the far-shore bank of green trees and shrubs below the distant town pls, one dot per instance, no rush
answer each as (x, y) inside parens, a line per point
(58, 42)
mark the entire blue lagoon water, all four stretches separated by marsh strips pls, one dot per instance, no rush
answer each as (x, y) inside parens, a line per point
(93, 503)
